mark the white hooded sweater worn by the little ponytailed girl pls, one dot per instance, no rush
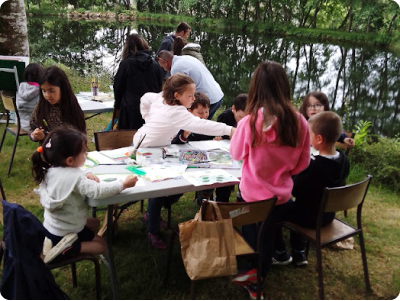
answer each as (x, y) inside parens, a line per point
(63, 193)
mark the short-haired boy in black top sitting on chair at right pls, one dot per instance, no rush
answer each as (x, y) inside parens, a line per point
(328, 169)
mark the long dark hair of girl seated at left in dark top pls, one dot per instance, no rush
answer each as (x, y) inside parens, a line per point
(70, 109)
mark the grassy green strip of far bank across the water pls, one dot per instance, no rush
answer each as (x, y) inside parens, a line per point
(391, 42)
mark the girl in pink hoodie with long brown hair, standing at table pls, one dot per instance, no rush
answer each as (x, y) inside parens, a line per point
(274, 143)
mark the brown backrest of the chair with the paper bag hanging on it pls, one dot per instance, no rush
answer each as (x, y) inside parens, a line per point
(242, 213)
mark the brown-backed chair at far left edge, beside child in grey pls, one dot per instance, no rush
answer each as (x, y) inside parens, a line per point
(10, 105)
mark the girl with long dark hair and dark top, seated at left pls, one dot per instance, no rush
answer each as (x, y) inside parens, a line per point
(57, 106)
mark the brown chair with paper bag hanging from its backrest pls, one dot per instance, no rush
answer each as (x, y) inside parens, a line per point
(249, 213)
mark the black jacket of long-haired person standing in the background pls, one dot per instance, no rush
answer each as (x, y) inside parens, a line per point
(137, 75)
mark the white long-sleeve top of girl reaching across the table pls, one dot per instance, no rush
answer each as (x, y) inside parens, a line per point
(163, 122)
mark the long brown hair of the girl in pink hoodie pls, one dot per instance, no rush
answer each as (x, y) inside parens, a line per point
(270, 90)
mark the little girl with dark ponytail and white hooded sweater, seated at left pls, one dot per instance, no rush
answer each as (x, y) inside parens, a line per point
(63, 189)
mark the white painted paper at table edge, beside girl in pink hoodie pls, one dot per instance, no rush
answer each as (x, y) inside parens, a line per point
(209, 177)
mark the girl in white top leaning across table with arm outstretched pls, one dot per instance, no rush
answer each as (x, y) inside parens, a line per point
(166, 114)
